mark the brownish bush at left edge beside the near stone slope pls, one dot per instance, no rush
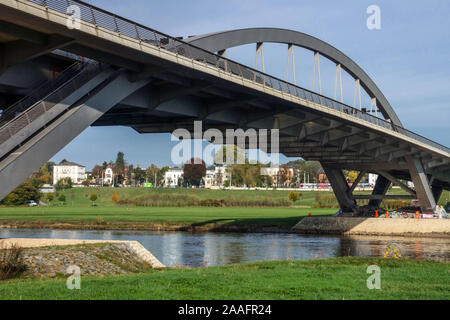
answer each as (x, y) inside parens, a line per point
(11, 262)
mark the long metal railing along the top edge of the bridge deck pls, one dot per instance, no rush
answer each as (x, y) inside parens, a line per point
(123, 26)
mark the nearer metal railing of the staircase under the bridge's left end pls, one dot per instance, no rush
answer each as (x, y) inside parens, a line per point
(88, 71)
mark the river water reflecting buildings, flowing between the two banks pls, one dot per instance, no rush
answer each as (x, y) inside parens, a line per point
(212, 249)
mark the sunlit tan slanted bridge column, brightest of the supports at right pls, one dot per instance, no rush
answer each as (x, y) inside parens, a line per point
(421, 184)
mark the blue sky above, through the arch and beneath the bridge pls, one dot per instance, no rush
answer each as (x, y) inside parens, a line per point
(409, 59)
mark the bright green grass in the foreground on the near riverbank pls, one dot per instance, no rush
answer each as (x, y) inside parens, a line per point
(337, 278)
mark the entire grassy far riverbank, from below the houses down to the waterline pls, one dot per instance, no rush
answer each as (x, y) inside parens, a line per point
(244, 210)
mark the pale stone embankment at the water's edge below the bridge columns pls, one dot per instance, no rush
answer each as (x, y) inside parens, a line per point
(374, 226)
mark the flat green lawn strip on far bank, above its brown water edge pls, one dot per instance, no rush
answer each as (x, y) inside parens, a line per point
(184, 216)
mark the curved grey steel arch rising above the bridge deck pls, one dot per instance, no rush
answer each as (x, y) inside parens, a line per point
(220, 41)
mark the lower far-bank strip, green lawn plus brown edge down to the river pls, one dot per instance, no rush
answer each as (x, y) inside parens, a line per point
(157, 218)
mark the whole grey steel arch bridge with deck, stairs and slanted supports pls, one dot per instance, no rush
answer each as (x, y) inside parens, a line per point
(132, 75)
